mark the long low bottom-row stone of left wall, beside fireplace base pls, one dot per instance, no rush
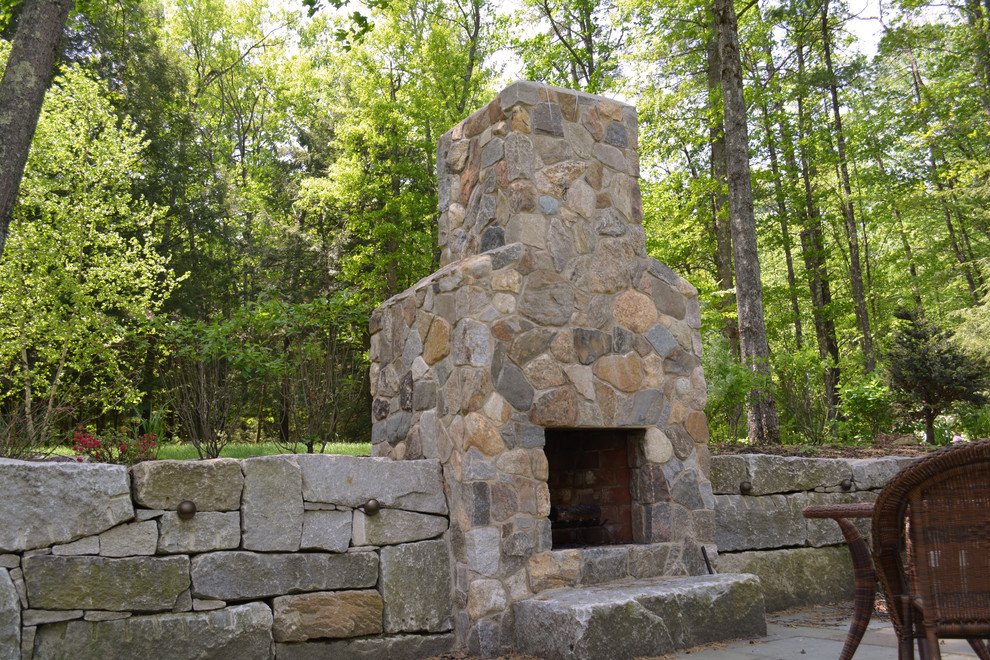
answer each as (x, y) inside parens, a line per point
(406, 647)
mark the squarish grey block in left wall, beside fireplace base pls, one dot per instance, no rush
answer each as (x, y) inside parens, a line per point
(415, 583)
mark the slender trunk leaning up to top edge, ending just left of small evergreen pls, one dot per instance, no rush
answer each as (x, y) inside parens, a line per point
(852, 233)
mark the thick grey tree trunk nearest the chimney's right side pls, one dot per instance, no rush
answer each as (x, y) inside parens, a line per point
(762, 409)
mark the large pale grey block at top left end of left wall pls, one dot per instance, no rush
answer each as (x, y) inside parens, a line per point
(42, 504)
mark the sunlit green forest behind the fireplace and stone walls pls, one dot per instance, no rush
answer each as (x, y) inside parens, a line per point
(219, 193)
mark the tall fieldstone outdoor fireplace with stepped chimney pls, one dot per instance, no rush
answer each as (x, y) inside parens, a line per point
(550, 365)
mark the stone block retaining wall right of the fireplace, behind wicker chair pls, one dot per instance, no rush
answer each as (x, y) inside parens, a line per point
(759, 529)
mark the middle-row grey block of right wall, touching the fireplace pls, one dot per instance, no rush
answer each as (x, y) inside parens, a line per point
(753, 523)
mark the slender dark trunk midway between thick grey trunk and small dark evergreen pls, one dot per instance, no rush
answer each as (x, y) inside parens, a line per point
(813, 247)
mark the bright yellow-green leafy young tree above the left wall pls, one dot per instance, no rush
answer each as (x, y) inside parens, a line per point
(80, 279)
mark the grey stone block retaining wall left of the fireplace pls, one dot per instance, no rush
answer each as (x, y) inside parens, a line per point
(278, 561)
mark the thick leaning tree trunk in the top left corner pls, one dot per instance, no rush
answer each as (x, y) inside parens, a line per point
(22, 91)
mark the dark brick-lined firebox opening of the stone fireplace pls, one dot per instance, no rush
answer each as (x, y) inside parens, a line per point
(590, 501)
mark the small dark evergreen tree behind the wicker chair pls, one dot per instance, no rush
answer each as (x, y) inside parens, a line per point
(929, 373)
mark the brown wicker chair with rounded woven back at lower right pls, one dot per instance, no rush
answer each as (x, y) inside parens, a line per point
(931, 548)
